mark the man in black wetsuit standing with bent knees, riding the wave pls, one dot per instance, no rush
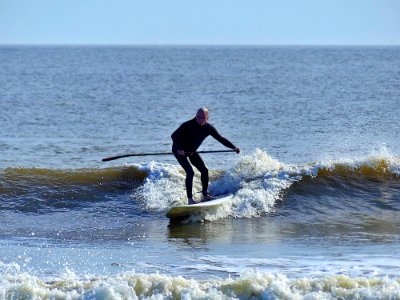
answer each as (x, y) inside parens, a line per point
(186, 140)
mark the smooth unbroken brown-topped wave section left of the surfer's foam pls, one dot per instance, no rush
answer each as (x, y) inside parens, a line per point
(32, 190)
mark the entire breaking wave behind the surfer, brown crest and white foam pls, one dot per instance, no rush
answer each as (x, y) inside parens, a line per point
(261, 185)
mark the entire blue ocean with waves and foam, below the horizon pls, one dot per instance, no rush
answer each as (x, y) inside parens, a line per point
(316, 207)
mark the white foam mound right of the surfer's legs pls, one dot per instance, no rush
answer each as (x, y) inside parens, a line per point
(257, 180)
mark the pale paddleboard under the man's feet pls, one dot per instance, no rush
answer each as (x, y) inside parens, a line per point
(181, 211)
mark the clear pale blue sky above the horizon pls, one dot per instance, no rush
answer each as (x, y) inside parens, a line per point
(221, 22)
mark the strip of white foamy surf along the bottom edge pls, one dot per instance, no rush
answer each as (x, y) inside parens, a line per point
(249, 284)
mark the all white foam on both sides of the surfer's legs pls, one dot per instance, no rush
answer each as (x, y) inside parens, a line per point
(256, 180)
